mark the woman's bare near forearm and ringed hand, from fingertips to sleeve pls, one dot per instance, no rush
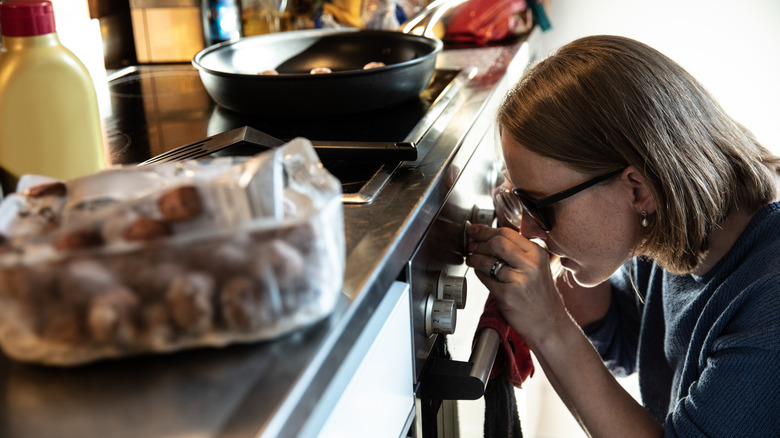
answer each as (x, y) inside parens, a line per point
(528, 299)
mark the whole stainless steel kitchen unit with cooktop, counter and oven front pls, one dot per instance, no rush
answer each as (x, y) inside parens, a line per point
(378, 366)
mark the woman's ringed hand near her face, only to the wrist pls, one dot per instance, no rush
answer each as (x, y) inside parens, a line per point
(524, 287)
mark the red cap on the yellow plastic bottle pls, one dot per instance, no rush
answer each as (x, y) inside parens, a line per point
(20, 18)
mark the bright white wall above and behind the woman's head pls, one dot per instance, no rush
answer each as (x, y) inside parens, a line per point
(732, 47)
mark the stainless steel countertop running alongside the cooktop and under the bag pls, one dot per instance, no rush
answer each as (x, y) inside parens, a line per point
(270, 389)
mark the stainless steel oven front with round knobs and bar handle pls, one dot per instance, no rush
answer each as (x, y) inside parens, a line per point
(440, 293)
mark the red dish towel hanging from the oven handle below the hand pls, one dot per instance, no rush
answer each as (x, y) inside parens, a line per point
(513, 357)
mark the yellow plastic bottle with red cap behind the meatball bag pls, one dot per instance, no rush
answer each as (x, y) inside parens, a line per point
(49, 118)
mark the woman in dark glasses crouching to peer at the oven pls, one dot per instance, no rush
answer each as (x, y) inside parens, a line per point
(663, 211)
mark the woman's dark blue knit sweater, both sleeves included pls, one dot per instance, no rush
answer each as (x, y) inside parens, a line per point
(706, 348)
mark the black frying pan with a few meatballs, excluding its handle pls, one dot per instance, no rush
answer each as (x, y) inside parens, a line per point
(230, 71)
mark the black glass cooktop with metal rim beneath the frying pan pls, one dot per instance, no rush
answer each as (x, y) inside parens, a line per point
(156, 108)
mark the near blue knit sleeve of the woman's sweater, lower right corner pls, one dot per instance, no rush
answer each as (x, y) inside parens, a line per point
(734, 389)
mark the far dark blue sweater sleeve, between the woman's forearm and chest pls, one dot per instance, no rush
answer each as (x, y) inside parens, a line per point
(615, 336)
